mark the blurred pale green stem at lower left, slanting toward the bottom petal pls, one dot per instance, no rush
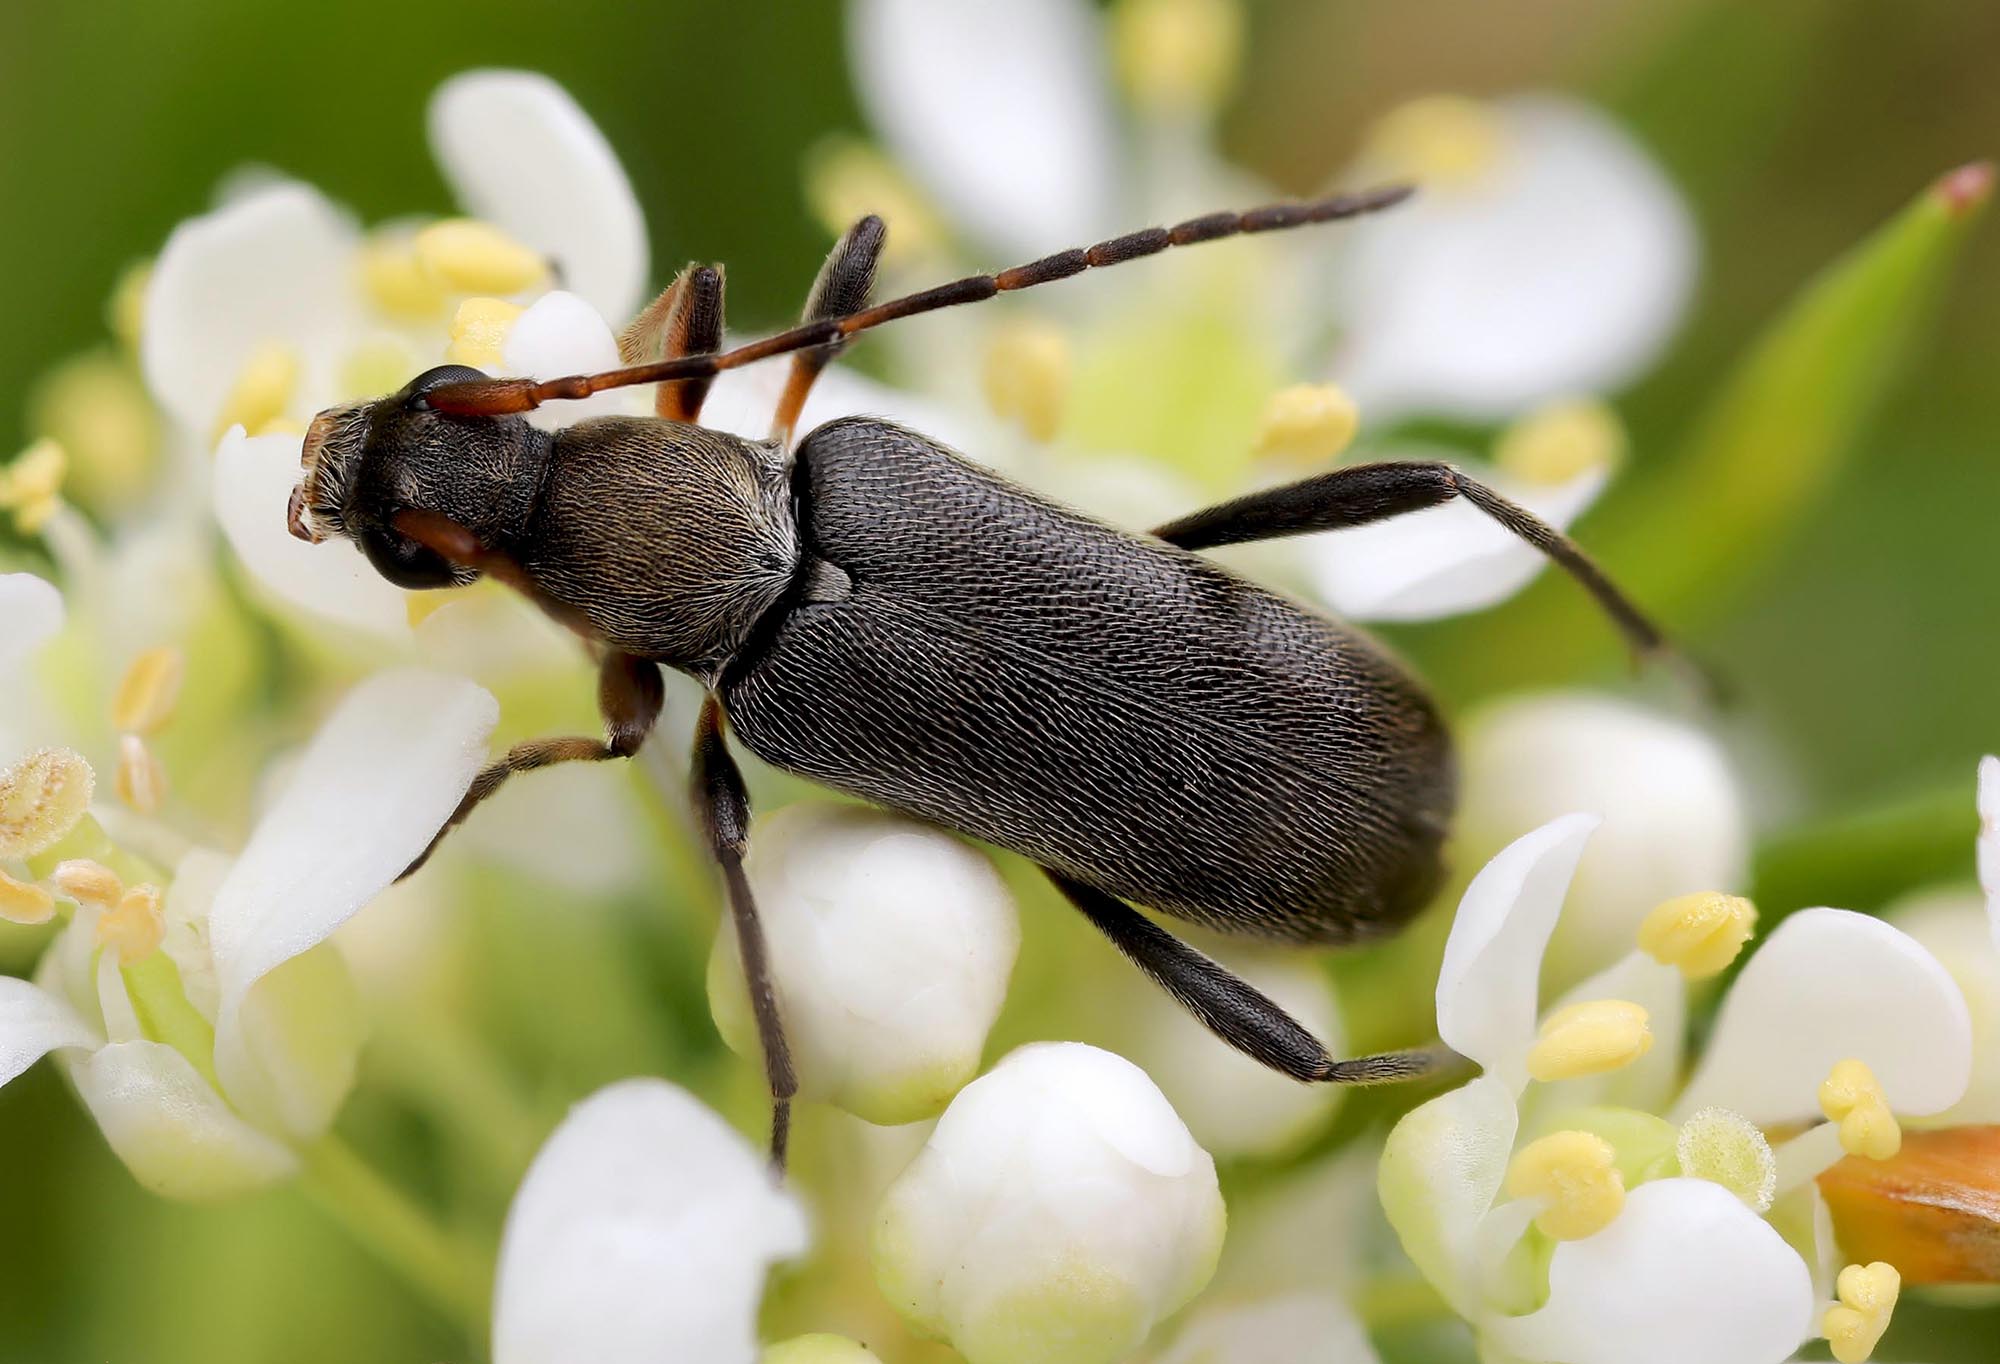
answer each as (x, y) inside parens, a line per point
(399, 1233)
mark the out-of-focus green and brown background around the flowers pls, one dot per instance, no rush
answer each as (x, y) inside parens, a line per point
(1869, 653)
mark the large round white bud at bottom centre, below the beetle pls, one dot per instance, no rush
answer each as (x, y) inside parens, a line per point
(1057, 1213)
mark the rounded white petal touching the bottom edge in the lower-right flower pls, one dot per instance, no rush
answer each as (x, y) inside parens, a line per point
(1685, 1273)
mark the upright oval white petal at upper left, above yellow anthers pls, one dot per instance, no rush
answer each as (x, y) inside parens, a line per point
(519, 153)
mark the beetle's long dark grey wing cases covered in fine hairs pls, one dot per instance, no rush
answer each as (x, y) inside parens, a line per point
(1101, 703)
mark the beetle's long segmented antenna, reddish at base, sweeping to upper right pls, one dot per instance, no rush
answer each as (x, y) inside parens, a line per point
(519, 395)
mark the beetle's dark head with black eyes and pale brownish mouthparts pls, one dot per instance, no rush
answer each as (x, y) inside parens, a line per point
(369, 461)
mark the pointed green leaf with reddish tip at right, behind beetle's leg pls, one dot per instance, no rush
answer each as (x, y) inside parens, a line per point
(1757, 463)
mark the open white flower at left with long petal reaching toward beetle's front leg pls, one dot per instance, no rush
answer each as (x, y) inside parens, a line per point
(215, 1035)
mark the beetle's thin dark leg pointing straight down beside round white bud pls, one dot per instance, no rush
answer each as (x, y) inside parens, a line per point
(725, 811)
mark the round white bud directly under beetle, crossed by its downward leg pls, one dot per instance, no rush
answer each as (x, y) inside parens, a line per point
(891, 945)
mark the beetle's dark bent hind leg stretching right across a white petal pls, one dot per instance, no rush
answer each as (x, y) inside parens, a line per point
(1371, 493)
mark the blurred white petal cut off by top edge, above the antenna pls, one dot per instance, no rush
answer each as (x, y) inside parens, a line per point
(1001, 107)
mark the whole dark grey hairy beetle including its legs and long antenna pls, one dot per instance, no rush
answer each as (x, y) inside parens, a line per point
(885, 617)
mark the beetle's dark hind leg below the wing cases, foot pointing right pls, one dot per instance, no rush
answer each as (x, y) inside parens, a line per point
(1229, 1007)
